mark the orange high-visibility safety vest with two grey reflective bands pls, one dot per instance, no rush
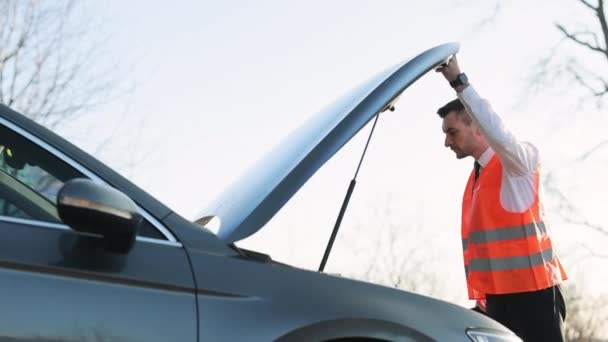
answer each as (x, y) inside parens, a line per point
(505, 252)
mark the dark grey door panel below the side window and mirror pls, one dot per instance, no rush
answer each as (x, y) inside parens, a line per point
(60, 285)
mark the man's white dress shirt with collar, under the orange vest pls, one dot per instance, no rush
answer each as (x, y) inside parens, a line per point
(519, 159)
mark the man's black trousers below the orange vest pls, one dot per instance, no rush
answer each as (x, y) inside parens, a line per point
(533, 316)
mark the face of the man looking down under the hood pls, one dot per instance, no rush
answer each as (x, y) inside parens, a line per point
(459, 136)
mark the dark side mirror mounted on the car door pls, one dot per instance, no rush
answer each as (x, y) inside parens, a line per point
(90, 207)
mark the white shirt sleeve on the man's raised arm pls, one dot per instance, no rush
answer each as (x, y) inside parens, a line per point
(518, 158)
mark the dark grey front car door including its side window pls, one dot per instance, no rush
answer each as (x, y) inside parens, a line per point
(57, 284)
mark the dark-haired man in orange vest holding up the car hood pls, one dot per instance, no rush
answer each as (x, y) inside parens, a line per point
(510, 264)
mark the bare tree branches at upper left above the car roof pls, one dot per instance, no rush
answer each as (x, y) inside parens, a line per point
(50, 60)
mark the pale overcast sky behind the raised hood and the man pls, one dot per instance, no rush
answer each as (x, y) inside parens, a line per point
(218, 83)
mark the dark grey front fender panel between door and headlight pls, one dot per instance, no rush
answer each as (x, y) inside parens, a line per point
(251, 292)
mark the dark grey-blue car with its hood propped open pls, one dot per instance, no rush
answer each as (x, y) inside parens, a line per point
(85, 255)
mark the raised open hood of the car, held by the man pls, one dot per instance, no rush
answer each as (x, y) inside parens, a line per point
(250, 202)
